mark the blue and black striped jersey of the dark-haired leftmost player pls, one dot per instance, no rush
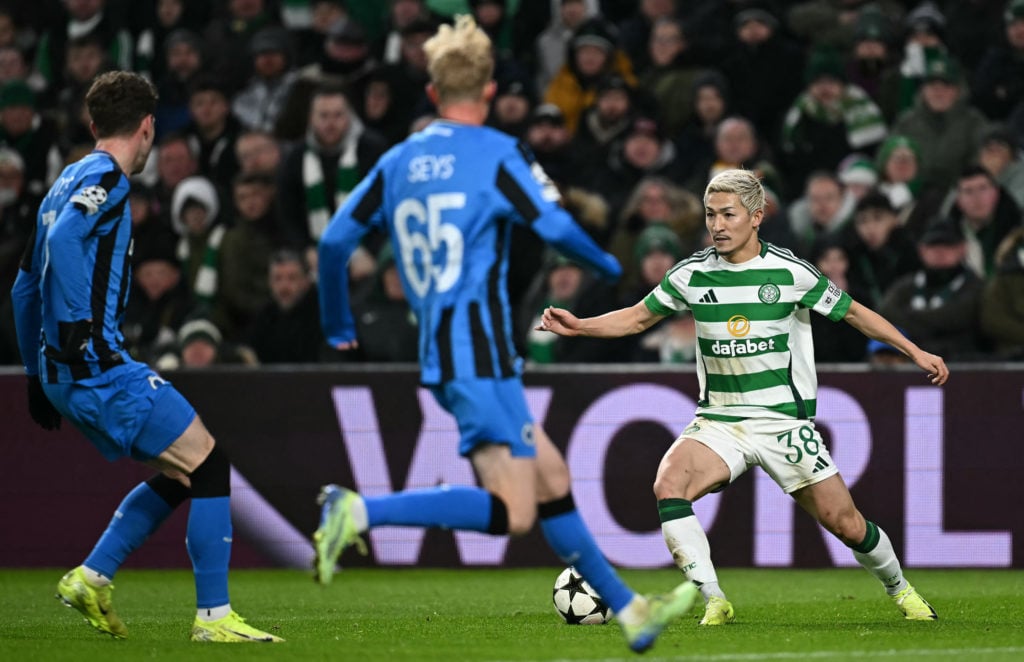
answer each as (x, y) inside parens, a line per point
(77, 268)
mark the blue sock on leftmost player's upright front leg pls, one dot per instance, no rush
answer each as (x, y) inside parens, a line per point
(209, 541)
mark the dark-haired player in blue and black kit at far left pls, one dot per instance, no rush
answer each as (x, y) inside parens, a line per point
(70, 299)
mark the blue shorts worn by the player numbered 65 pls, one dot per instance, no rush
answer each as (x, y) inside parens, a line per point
(489, 411)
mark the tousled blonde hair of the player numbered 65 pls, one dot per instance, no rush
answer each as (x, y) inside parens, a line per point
(460, 61)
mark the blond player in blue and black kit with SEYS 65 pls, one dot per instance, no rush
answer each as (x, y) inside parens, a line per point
(447, 198)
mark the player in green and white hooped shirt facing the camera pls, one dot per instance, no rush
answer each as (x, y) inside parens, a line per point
(752, 304)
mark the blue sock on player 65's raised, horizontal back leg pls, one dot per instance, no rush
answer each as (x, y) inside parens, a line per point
(460, 508)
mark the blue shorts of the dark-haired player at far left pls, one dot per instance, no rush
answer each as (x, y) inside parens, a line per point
(129, 411)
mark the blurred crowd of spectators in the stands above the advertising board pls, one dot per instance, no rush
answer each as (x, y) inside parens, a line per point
(887, 134)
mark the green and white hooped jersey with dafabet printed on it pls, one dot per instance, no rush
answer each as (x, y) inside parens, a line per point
(755, 352)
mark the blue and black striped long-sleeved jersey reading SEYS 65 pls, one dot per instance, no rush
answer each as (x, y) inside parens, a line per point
(447, 197)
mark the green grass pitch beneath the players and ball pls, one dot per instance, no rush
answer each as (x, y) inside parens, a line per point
(506, 615)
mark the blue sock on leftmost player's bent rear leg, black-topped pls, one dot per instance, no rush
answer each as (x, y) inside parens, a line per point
(138, 517)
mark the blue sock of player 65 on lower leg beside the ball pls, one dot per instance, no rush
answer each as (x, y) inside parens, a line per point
(571, 540)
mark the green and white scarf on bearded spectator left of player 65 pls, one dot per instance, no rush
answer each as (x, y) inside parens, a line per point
(318, 213)
